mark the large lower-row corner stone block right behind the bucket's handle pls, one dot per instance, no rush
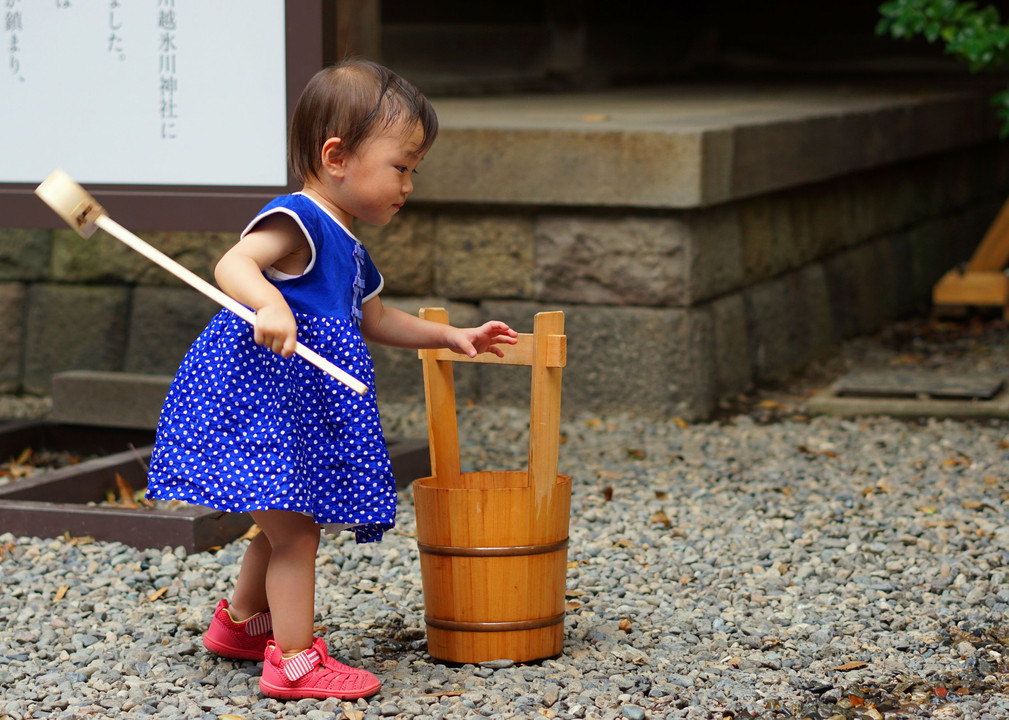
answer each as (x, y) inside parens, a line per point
(648, 362)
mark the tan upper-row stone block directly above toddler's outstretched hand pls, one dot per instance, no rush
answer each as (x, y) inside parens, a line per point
(485, 256)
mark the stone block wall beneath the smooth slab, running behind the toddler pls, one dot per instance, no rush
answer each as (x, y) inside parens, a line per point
(667, 310)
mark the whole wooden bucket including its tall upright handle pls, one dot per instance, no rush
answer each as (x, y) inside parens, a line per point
(494, 544)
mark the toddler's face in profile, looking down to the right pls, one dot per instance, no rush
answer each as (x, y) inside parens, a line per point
(379, 178)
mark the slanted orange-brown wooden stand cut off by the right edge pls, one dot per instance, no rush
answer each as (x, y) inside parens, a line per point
(982, 282)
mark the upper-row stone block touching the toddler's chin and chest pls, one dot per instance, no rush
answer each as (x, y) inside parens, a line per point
(404, 252)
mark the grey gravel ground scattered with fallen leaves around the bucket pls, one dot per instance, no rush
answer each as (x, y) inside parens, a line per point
(765, 564)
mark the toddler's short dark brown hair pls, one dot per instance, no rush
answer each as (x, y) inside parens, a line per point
(353, 100)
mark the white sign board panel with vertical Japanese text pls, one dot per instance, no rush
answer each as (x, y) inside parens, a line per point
(145, 92)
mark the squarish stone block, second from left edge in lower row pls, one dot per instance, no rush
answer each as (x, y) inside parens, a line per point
(74, 328)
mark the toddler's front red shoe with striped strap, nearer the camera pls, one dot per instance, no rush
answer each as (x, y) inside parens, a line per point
(313, 674)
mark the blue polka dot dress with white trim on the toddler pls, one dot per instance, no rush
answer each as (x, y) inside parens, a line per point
(244, 429)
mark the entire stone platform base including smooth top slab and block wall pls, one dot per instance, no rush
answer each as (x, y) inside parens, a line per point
(701, 241)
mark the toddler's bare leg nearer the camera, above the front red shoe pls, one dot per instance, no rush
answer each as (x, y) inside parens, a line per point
(290, 576)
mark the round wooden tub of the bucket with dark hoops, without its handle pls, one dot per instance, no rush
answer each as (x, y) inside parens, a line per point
(474, 604)
